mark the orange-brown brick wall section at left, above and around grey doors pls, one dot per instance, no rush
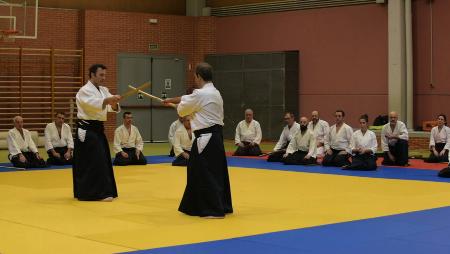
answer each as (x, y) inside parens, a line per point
(103, 34)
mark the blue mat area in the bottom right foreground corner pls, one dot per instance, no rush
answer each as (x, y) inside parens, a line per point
(415, 232)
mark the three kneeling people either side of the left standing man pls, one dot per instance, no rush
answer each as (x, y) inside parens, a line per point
(23, 153)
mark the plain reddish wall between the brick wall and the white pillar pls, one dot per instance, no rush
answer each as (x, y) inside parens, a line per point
(343, 54)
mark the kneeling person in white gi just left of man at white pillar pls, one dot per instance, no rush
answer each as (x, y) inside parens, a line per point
(364, 147)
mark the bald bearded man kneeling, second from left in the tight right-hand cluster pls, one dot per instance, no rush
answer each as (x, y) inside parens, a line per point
(302, 148)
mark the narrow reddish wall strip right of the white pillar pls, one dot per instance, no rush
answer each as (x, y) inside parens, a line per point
(431, 100)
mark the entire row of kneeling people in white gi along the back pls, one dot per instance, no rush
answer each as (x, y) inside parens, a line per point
(299, 143)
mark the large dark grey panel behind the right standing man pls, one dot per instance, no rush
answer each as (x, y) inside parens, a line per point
(258, 81)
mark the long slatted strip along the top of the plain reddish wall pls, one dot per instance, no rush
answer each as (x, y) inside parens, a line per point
(280, 6)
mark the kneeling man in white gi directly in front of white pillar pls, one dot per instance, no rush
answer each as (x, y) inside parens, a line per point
(394, 142)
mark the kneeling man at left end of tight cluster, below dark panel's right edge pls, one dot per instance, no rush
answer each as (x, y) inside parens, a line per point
(286, 135)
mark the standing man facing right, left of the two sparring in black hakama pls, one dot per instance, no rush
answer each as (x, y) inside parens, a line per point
(93, 176)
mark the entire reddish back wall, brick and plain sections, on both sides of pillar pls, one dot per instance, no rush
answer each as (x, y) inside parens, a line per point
(343, 50)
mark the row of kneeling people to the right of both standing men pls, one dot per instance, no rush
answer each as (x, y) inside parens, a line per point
(302, 143)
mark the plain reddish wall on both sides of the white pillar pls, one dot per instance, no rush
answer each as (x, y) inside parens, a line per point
(344, 55)
